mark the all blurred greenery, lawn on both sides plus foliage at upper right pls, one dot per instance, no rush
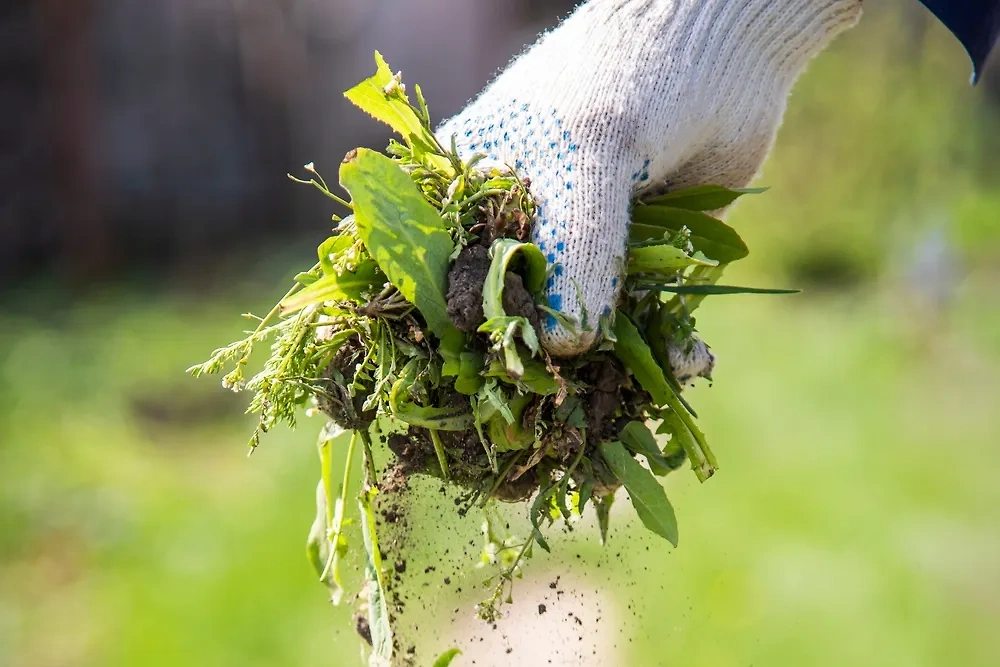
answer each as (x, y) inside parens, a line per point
(856, 519)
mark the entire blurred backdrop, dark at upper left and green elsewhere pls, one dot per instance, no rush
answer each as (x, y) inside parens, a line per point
(144, 206)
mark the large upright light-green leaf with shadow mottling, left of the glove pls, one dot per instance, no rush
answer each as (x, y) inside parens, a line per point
(404, 233)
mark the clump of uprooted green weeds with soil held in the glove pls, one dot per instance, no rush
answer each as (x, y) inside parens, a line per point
(417, 332)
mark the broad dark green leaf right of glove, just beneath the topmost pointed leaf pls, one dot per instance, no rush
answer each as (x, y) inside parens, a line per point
(713, 237)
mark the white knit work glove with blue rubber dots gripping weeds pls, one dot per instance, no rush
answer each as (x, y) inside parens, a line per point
(638, 96)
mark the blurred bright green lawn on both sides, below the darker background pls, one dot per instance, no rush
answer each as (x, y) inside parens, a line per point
(856, 519)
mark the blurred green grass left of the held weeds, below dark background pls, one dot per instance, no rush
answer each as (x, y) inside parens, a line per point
(134, 529)
